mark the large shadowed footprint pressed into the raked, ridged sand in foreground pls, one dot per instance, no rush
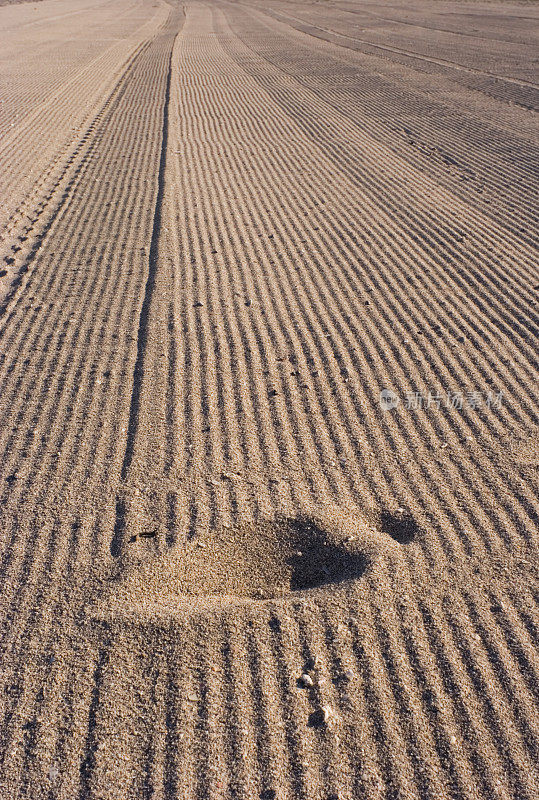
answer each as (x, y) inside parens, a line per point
(278, 559)
